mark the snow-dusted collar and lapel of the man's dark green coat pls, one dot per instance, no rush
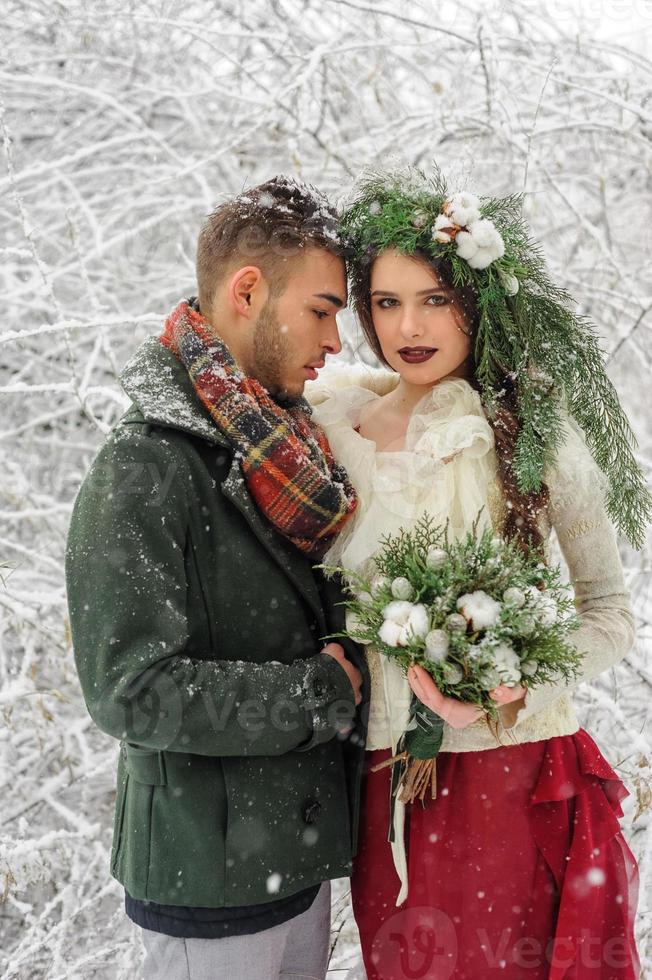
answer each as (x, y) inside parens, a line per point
(159, 385)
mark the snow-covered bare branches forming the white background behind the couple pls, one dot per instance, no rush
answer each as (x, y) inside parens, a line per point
(122, 124)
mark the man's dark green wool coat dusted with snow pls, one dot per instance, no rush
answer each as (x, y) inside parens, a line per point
(197, 630)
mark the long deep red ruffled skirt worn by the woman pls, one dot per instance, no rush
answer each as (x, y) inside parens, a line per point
(517, 870)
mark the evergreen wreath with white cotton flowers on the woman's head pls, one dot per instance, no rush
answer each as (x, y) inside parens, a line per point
(527, 328)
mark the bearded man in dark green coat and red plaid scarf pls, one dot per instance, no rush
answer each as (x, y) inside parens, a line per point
(197, 614)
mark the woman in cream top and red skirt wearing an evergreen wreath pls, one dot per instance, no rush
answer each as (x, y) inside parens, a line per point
(518, 867)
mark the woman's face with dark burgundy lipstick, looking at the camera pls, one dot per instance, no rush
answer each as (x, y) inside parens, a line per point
(422, 332)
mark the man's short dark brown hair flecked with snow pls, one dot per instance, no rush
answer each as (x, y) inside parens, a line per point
(269, 226)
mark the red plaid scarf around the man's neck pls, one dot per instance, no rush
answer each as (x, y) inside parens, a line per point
(285, 456)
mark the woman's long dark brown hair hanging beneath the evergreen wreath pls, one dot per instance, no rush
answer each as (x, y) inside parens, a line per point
(522, 510)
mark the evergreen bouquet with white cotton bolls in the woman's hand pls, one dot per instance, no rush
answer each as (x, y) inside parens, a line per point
(475, 613)
